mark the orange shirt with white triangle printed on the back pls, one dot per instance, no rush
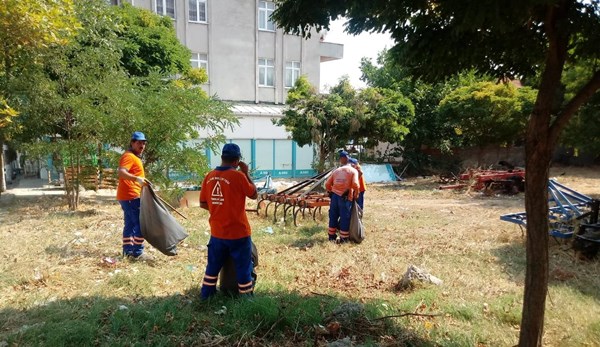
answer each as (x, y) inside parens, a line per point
(225, 190)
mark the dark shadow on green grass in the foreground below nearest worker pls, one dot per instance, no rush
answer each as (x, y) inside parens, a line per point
(275, 318)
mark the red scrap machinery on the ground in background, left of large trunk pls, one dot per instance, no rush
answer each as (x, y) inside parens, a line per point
(506, 181)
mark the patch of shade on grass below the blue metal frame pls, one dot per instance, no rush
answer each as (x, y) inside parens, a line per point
(564, 269)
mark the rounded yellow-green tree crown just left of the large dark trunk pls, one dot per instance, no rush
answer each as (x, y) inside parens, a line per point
(486, 113)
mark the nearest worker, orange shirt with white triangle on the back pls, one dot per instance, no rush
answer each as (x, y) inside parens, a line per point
(223, 194)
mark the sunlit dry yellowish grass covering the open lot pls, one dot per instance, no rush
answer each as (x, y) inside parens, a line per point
(51, 255)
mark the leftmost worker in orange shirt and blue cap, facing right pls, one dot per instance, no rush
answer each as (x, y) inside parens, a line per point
(131, 179)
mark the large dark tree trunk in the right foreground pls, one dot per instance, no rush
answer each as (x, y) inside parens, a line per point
(539, 146)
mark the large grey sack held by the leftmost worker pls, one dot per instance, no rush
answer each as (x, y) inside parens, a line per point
(158, 226)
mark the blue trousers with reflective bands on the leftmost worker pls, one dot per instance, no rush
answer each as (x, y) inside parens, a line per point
(133, 241)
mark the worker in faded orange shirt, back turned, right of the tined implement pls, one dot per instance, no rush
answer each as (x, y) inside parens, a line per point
(343, 187)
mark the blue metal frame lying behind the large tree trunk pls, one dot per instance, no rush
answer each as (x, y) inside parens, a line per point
(567, 205)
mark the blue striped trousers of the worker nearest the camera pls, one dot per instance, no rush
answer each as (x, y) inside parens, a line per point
(218, 251)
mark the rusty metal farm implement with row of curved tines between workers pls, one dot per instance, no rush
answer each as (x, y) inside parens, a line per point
(299, 199)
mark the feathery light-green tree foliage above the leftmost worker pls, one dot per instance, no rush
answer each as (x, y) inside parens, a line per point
(83, 96)
